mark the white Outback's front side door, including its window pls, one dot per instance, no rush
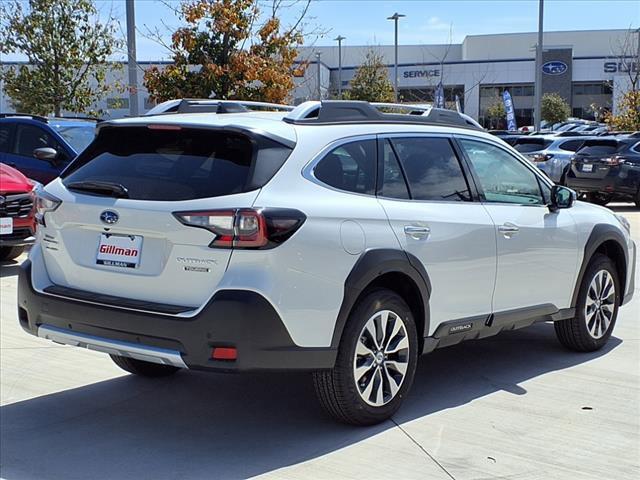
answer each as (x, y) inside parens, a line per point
(537, 248)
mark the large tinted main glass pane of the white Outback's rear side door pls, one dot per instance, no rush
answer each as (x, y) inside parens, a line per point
(432, 169)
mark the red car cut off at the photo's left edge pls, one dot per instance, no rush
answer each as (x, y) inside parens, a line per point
(17, 213)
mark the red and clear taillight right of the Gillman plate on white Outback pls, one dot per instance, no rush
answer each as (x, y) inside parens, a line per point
(254, 228)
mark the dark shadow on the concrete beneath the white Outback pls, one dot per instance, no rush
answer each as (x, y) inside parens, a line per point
(198, 425)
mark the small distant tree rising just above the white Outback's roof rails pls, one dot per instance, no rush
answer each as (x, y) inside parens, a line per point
(371, 81)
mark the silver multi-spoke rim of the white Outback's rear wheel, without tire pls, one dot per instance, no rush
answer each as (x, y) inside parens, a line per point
(381, 358)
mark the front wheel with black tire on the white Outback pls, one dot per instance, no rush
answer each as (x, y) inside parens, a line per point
(590, 332)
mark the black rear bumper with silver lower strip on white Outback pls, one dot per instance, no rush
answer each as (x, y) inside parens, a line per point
(232, 318)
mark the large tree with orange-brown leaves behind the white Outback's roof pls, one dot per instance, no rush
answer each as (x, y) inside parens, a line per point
(229, 50)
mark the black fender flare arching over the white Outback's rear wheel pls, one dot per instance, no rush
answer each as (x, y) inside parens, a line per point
(371, 265)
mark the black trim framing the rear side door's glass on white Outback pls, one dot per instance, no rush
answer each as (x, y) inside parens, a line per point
(466, 172)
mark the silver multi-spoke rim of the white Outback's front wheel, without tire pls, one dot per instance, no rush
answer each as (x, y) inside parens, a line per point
(600, 304)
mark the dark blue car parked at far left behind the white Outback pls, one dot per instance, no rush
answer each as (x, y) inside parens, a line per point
(42, 147)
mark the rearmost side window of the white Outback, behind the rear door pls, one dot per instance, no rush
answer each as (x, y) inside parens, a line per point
(350, 167)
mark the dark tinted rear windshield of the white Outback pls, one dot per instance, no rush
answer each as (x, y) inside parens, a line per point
(172, 165)
